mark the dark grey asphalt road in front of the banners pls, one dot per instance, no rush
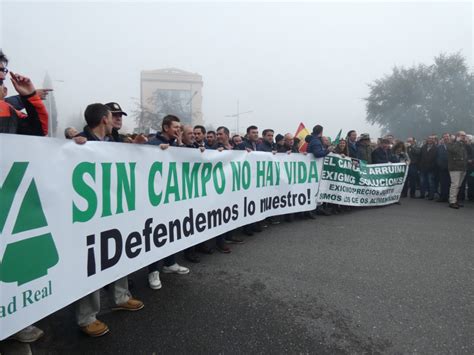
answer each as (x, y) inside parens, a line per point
(391, 280)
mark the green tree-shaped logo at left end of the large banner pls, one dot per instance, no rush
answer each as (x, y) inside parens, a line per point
(28, 259)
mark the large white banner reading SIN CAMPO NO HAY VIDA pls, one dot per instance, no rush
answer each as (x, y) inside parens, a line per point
(75, 218)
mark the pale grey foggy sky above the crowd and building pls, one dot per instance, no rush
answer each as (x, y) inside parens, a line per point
(289, 63)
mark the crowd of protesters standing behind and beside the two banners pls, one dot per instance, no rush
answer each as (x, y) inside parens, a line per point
(441, 168)
